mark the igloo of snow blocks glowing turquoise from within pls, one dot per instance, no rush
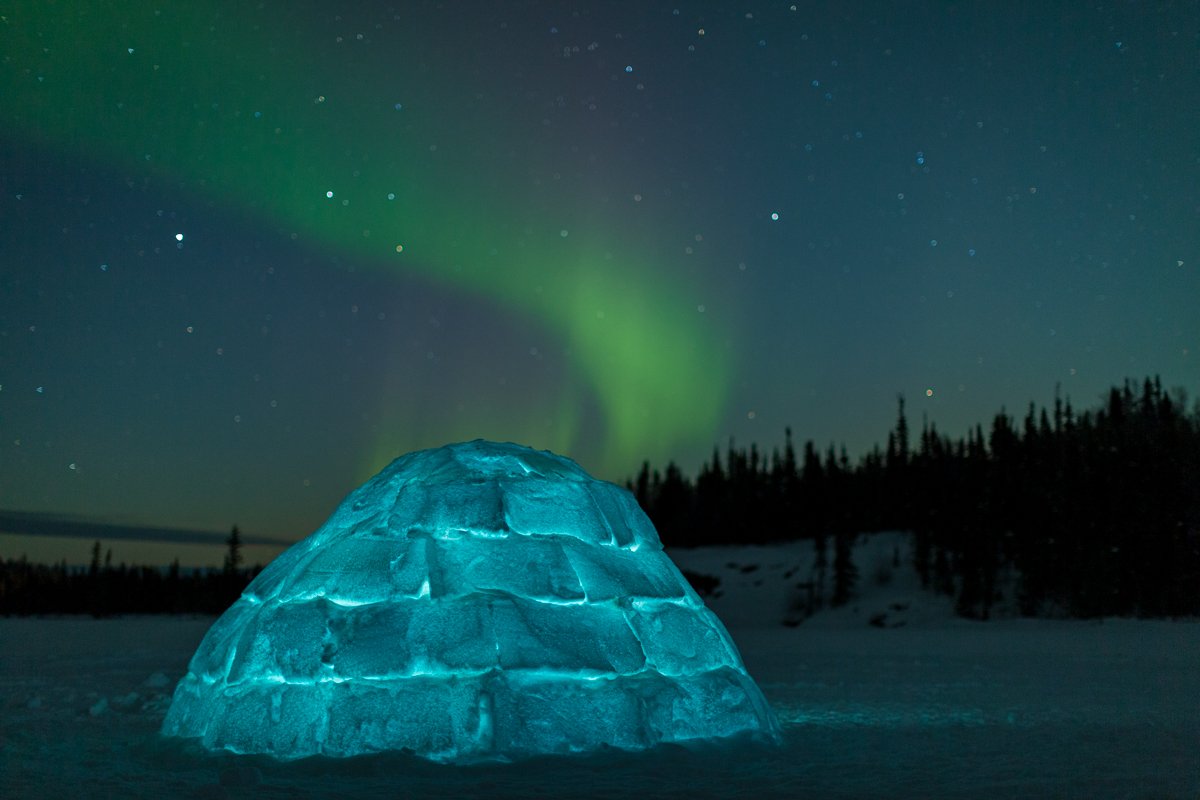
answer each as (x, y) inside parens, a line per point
(473, 603)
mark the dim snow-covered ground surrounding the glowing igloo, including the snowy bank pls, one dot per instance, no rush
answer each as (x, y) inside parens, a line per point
(920, 705)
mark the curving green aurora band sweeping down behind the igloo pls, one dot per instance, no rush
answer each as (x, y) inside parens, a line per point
(415, 173)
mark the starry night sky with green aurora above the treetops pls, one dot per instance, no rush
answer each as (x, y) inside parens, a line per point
(251, 252)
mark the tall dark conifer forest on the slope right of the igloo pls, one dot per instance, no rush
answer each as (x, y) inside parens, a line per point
(1083, 515)
